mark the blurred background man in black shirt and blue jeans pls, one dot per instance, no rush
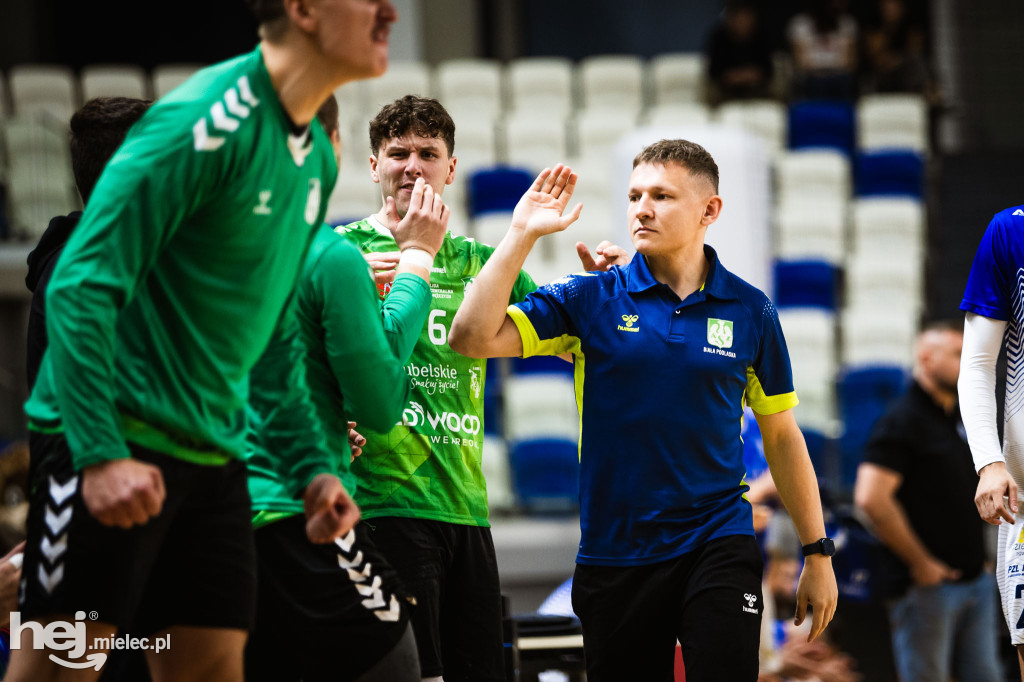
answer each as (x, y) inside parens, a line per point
(917, 487)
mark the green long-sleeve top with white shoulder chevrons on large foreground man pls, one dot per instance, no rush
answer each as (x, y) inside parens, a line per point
(172, 286)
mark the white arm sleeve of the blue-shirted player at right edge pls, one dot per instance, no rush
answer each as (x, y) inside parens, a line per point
(983, 338)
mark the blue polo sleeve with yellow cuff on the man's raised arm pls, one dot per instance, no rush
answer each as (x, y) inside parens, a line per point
(549, 319)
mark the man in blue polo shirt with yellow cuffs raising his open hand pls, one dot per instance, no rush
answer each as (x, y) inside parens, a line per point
(667, 352)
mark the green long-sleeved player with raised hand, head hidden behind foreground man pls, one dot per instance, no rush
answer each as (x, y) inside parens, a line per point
(332, 612)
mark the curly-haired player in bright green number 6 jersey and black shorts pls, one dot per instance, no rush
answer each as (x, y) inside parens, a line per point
(421, 490)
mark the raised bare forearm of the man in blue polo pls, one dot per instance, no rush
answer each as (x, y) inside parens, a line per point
(482, 315)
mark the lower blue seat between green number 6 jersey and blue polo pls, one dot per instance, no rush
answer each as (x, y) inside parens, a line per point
(546, 475)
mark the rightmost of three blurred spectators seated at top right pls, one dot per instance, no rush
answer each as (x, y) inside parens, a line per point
(894, 52)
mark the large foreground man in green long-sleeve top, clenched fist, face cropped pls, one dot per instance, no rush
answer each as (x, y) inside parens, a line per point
(163, 301)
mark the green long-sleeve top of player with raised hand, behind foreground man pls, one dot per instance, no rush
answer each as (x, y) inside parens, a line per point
(354, 366)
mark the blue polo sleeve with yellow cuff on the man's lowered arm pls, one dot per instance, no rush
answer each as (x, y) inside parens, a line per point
(770, 378)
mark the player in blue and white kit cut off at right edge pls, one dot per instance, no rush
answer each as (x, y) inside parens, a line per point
(995, 309)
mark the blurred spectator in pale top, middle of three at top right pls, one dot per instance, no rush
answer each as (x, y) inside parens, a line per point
(824, 41)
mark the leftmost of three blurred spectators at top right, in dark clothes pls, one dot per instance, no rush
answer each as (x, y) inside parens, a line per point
(740, 63)
